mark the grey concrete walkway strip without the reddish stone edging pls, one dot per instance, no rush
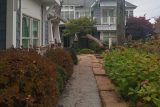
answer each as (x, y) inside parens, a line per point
(81, 90)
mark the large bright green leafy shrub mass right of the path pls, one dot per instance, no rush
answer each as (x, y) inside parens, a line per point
(136, 74)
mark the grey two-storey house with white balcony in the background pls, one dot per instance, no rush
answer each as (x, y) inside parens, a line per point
(109, 15)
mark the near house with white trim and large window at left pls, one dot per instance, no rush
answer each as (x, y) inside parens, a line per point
(25, 23)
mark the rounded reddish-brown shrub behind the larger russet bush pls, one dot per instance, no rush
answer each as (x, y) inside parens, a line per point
(62, 58)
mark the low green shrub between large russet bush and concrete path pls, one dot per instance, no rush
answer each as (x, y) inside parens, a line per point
(61, 79)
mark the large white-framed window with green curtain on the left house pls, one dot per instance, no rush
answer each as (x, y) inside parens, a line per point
(30, 32)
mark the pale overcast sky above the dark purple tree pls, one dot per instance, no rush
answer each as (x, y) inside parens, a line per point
(149, 7)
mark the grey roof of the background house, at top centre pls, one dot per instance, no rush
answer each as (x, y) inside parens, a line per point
(79, 2)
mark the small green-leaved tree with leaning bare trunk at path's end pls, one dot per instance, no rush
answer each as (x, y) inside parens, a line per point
(83, 27)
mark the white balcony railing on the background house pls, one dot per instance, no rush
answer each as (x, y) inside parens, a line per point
(108, 20)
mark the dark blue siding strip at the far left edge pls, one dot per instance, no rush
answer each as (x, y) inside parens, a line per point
(3, 11)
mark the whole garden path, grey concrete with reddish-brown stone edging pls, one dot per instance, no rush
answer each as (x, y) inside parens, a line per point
(89, 86)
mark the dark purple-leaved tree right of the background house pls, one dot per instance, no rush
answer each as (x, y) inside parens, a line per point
(138, 27)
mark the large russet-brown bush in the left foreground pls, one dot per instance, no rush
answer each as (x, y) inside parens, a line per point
(26, 80)
